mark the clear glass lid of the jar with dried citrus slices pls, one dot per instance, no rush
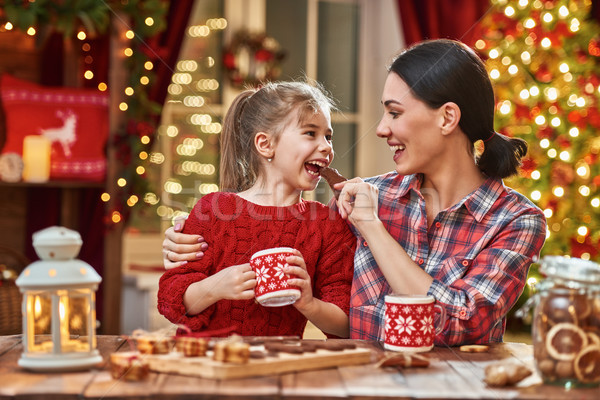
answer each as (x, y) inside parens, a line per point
(570, 269)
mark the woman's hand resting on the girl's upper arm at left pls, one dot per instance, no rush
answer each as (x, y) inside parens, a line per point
(179, 248)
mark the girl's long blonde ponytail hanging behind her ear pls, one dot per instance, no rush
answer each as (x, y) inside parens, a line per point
(236, 173)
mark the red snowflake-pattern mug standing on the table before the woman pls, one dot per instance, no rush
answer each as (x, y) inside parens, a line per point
(409, 322)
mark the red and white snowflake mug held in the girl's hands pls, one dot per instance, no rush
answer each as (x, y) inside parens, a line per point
(272, 289)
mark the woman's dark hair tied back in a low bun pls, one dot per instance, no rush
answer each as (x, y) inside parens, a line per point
(443, 70)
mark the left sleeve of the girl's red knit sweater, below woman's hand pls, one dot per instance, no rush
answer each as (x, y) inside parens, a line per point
(174, 282)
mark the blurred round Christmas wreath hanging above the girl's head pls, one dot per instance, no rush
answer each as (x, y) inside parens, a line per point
(252, 58)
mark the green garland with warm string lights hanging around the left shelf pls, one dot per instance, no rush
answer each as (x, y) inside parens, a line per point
(83, 22)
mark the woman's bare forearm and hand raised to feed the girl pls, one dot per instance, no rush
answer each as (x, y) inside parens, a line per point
(358, 203)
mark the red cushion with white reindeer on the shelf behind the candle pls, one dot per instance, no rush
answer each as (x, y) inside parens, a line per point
(75, 121)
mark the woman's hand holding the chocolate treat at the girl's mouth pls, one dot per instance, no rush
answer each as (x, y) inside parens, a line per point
(358, 201)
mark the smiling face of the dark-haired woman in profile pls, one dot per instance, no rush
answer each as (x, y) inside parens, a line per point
(411, 128)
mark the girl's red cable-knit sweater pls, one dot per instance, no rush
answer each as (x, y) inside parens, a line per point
(234, 230)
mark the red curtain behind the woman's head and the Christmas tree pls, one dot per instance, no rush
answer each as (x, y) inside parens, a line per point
(456, 19)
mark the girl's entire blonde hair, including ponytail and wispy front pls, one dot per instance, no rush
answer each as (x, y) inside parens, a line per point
(269, 110)
